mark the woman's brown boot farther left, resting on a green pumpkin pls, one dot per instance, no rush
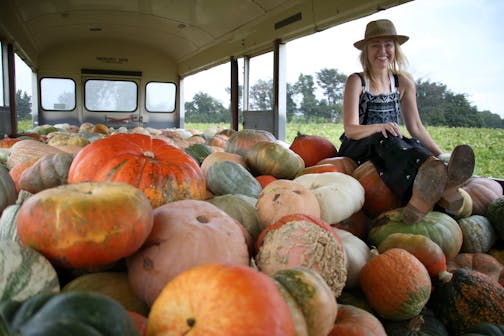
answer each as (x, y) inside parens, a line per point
(428, 186)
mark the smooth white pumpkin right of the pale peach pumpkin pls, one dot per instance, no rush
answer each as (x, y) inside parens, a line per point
(339, 195)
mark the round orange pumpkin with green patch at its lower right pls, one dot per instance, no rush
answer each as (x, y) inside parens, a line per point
(396, 284)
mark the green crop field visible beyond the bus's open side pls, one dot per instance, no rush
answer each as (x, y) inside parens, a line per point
(488, 144)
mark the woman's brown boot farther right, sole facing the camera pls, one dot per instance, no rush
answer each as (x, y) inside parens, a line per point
(460, 168)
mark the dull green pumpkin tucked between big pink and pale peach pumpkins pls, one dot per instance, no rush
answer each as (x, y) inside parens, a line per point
(242, 208)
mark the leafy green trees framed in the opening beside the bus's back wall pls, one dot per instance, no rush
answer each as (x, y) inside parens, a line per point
(205, 108)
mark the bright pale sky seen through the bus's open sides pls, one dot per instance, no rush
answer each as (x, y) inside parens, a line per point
(459, 43)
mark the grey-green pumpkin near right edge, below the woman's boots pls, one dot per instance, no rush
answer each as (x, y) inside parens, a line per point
(479, 235)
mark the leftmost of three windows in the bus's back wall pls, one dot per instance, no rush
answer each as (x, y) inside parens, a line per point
(57, 94)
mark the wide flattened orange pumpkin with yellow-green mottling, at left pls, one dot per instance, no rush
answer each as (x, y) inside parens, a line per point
(85, 224)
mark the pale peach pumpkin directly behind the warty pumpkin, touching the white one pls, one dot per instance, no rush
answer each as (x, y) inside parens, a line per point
(285, 197)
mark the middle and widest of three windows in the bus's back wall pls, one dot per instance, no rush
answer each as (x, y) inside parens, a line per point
(111, 95)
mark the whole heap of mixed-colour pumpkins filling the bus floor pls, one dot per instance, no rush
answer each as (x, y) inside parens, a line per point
(159, 232)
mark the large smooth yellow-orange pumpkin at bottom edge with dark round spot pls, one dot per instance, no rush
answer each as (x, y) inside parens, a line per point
(221, 300)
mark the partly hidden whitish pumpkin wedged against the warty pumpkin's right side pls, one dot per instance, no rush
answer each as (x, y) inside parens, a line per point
(357, 254)
